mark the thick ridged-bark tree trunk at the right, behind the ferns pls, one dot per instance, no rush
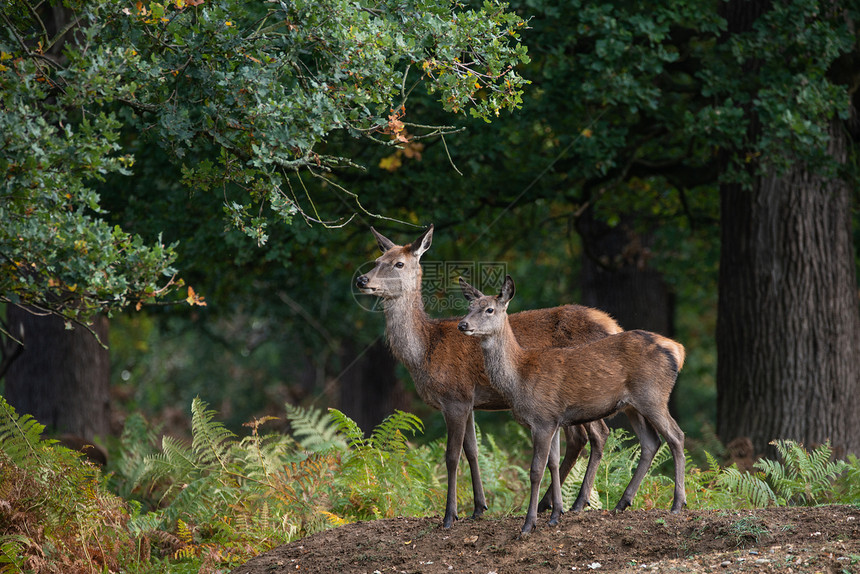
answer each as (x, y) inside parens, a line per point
(788, 332)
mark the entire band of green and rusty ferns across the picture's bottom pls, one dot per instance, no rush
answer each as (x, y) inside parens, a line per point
(219, 499)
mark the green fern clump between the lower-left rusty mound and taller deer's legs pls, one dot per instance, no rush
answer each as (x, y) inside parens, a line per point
(223, 498)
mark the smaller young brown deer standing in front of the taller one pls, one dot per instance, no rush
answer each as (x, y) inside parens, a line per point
(633, 372)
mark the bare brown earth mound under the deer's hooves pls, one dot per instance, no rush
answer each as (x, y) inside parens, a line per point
(822, 539)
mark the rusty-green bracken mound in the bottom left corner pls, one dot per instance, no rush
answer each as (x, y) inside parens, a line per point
(56, 515)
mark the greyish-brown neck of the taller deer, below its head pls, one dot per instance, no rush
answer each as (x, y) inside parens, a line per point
(406, 326)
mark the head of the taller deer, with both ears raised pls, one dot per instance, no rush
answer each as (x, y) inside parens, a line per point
(398, 269)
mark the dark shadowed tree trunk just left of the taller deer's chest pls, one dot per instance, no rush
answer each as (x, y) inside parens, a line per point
(369, 387)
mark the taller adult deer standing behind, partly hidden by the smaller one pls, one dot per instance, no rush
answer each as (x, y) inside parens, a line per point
(447, 378)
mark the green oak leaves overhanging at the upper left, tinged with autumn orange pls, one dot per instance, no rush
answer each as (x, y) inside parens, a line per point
(239, 95)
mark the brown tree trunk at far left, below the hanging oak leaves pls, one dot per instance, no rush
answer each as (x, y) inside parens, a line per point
(62, 377)
